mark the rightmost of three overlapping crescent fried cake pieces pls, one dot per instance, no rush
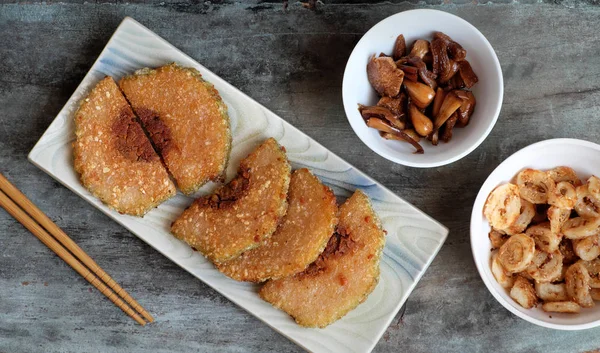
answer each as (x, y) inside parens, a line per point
(342, 277)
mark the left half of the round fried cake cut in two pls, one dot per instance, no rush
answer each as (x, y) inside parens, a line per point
(114, 157)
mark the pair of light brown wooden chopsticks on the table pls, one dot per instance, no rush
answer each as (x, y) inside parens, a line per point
(24, 211)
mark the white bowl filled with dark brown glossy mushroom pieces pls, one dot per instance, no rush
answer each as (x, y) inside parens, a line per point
(423, 88)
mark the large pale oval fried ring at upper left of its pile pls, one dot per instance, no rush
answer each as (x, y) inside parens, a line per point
(503, 206)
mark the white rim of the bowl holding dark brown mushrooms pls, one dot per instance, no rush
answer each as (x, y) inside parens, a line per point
(482, 137)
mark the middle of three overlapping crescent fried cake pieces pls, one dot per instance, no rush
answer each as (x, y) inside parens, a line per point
(300, 238)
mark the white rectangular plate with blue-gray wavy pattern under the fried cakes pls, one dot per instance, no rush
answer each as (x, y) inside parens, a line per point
(413, 238)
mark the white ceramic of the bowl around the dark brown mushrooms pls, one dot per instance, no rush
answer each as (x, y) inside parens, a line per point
(419, 24)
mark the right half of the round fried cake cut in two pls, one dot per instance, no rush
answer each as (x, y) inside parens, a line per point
(186, 120)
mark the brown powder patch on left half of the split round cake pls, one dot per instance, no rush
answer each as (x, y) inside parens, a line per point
(130, 139)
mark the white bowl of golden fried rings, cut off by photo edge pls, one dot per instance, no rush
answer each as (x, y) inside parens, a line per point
(535, 234)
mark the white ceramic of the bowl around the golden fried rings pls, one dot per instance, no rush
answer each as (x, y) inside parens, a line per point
(584, 158)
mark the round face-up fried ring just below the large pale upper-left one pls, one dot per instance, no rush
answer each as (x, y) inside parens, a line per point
(517, 253)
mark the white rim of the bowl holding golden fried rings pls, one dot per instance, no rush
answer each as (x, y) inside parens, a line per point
(475, 213)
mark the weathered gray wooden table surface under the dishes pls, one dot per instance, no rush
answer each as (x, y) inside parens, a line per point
(292, 62)
